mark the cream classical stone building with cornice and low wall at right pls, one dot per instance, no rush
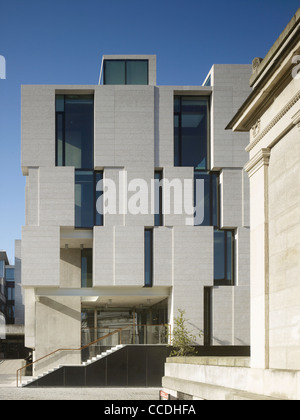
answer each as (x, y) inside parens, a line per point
(272, 116)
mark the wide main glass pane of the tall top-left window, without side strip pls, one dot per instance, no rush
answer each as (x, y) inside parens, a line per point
(79, 131)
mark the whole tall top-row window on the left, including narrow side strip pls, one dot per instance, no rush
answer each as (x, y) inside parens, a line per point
(75, 131)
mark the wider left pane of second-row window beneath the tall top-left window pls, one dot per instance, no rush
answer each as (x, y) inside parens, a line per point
(84, 199)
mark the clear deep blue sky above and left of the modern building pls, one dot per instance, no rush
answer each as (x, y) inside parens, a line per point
(62, 42)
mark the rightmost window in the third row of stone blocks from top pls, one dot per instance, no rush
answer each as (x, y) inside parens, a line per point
(223, 258)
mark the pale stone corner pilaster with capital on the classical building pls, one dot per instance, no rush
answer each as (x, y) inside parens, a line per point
(257, 170)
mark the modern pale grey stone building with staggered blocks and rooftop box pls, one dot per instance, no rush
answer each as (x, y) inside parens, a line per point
(113, 171)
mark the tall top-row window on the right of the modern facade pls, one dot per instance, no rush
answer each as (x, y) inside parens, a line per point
(191, 131)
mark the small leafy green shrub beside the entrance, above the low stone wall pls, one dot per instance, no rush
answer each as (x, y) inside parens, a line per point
(182, 340)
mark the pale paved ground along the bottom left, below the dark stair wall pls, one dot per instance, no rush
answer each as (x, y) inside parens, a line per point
(9, 391)
